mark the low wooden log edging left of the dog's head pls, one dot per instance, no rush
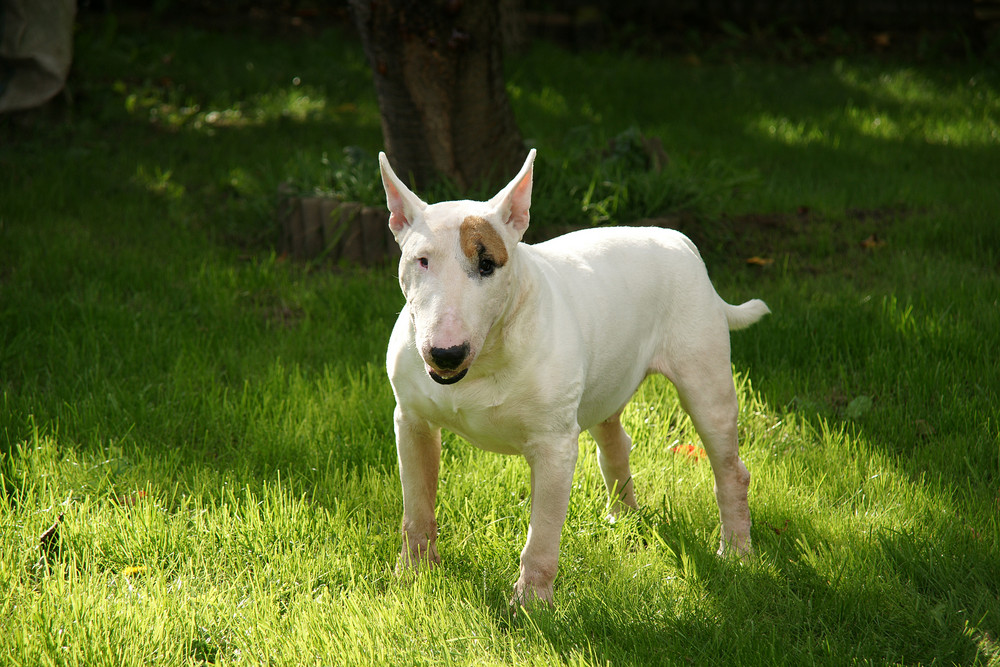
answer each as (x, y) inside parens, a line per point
(326, 228)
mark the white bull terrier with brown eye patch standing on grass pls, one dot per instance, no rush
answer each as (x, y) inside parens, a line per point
(519, 348)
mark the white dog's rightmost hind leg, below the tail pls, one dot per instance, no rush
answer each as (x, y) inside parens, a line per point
(705, 385)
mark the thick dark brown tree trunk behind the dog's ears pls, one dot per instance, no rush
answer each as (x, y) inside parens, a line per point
(438, 70)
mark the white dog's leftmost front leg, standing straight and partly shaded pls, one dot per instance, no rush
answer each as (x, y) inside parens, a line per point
(418, 446)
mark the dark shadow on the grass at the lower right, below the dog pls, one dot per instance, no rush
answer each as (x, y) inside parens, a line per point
(809, 615)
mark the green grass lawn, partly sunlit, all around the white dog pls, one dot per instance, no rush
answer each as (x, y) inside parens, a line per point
(213, 422)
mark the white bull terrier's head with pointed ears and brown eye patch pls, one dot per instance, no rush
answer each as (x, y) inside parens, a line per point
(457, 265)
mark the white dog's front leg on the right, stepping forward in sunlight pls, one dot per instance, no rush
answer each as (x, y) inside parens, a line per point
(552, 469)
